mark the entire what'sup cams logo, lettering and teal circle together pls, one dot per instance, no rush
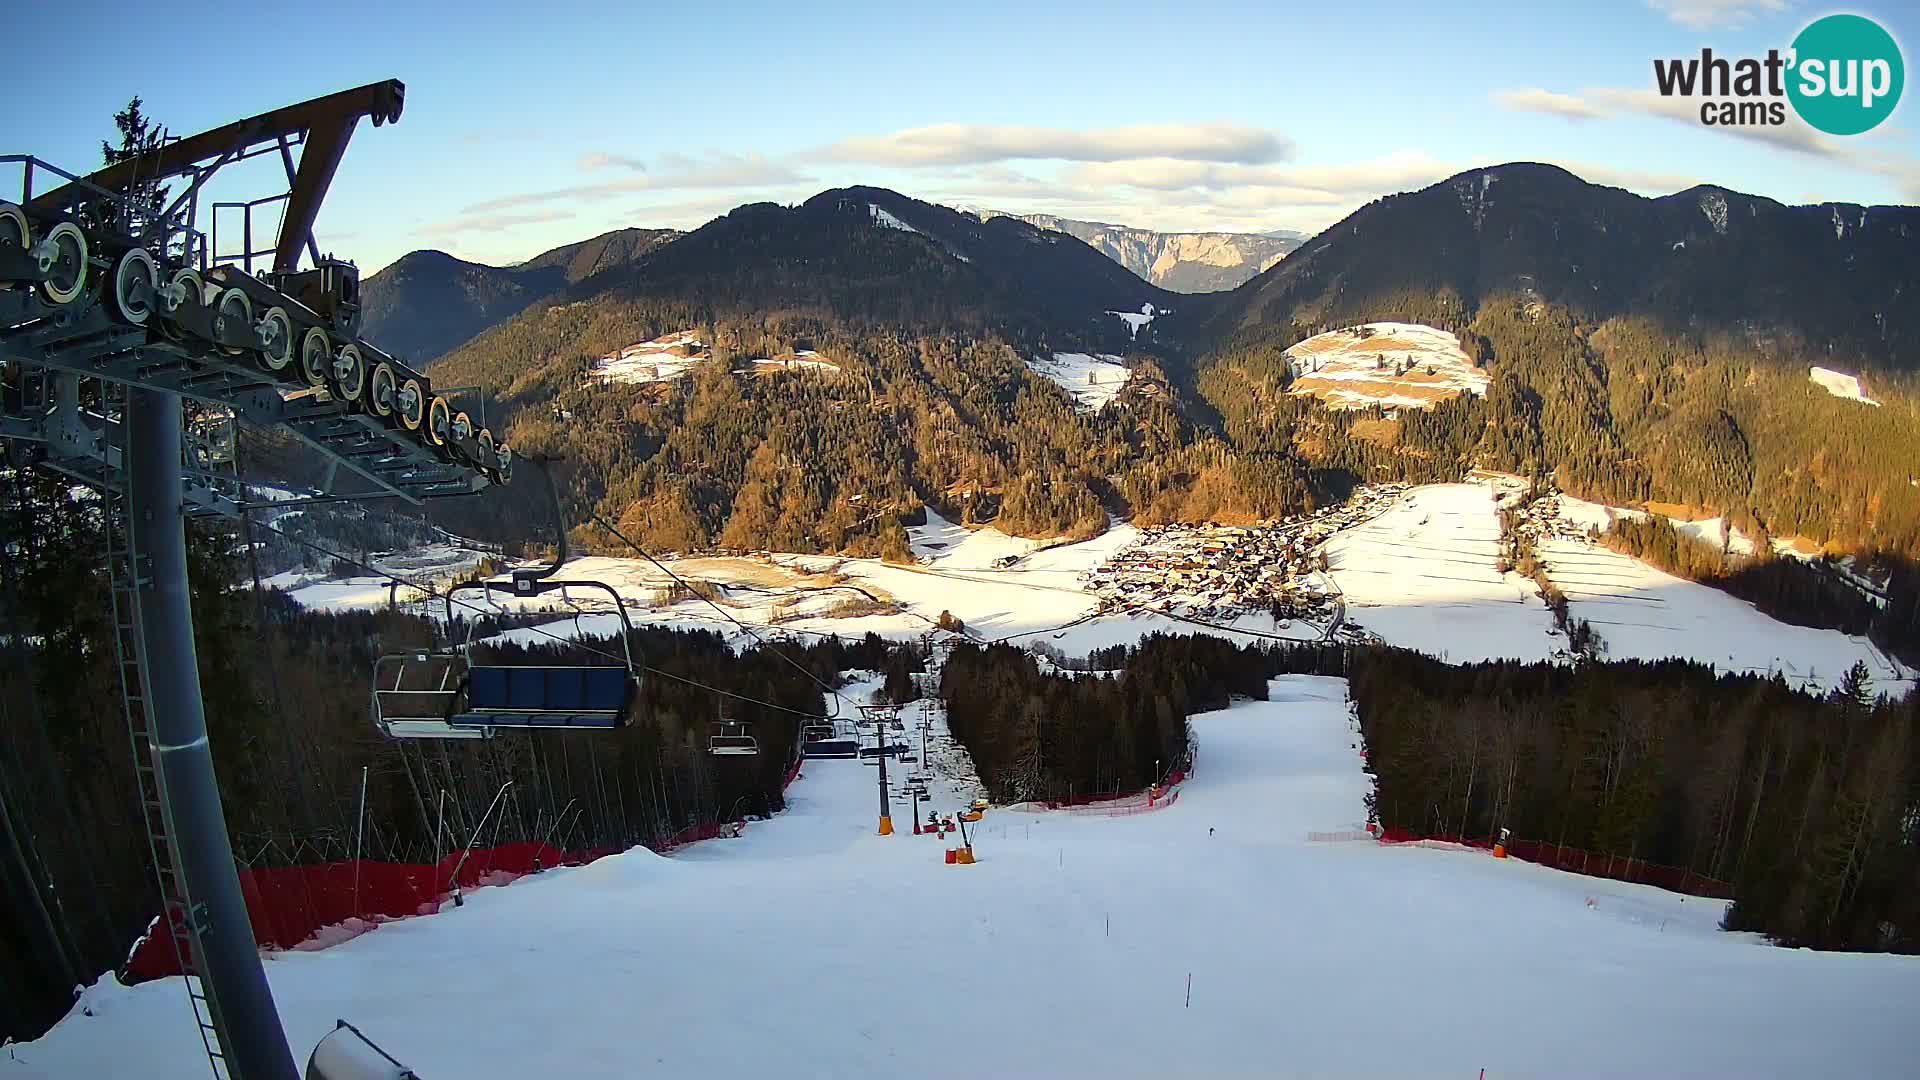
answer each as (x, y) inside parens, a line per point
(1842, 76)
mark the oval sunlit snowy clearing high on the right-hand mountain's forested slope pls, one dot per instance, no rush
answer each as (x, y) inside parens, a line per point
(1401, 366)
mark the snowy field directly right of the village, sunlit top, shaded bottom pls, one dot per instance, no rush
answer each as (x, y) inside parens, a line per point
(1424, 576)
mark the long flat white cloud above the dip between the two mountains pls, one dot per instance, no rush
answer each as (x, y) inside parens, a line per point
(976, 143)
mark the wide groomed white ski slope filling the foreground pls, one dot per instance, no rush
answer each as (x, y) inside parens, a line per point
(815, 948)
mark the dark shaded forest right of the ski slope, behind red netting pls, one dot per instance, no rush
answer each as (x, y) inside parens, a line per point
(1810, 808)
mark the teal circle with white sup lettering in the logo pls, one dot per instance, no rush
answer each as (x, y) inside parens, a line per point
(1846, 76)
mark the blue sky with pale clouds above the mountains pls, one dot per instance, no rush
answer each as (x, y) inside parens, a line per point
(531, 126)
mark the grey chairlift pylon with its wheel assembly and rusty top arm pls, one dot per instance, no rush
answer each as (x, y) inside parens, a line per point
(132, 347)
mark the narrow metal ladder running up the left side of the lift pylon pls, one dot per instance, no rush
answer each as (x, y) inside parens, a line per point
(181, 916)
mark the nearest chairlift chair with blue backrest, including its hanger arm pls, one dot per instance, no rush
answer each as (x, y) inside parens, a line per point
(448, 697)
